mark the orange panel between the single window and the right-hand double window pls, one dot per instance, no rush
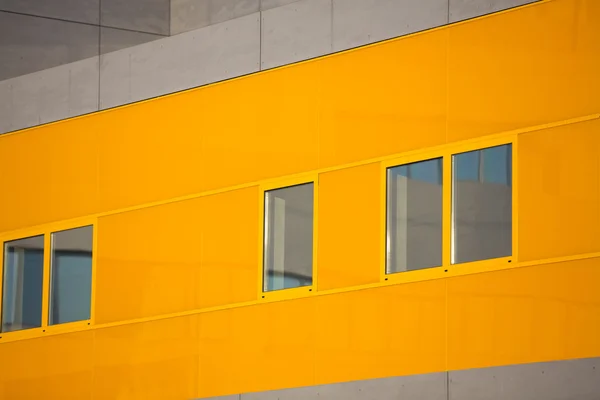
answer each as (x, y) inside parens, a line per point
(349, 245)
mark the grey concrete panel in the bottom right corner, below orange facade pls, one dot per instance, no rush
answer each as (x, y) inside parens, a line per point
(560, 380)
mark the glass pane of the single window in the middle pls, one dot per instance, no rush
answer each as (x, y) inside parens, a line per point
(288, 237)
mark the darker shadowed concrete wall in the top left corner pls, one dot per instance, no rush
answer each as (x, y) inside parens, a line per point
(36, 35)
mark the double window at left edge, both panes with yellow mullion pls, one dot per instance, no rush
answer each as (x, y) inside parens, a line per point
(39, 291)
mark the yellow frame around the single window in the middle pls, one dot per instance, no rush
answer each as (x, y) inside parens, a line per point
(291, 293)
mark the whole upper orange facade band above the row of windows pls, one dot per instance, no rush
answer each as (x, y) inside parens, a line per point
(517, 69)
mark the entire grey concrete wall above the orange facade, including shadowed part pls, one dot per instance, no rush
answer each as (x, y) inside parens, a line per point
(222, 39)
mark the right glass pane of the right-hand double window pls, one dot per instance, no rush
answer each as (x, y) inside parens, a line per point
(482, 204)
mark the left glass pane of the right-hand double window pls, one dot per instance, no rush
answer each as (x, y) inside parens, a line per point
(414, 216)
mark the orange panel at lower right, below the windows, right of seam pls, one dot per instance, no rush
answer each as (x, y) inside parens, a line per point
(541, 313)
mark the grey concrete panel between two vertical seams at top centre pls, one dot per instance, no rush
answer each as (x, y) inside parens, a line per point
(296, 32)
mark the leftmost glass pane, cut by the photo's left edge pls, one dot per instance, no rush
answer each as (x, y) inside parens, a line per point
(22, 284)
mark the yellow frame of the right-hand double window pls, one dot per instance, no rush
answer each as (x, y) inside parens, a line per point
(447, 268)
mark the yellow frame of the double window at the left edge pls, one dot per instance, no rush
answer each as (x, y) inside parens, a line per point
(47, 230)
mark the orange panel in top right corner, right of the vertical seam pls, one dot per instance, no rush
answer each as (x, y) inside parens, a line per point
(528, 67)
